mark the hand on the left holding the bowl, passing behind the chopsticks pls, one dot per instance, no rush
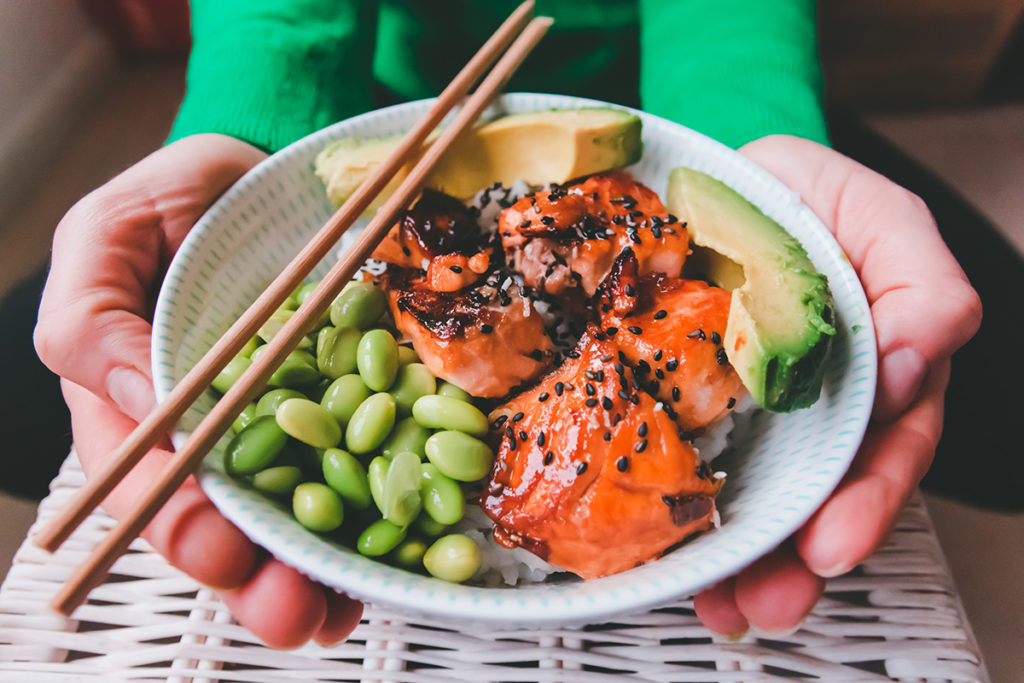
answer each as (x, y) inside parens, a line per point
(110, 253)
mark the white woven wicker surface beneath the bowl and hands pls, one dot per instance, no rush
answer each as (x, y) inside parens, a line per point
(895, 618)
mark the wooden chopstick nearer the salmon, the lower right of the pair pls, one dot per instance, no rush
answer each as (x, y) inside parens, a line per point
(95, 569)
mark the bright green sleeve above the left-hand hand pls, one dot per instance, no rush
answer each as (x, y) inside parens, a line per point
(270, 72)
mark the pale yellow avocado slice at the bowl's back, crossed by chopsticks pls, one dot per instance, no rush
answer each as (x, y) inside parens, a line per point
(538, 147)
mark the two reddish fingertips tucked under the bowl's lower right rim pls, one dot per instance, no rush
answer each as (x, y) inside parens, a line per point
(775, 595)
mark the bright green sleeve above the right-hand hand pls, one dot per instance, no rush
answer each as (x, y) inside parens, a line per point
(735, 70)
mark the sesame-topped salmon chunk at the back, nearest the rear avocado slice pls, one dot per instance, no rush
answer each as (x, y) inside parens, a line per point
(571, 236)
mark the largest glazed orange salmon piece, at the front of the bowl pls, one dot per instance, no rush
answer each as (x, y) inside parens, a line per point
(591, 476)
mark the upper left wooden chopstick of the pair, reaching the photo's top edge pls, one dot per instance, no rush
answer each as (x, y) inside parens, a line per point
(166, 415)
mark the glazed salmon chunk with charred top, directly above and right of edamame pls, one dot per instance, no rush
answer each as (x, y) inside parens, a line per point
(486, 339)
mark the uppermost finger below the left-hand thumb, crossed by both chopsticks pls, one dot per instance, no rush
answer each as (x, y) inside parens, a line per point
(188, 531)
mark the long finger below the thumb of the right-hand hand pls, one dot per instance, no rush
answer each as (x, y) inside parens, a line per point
(856, 521)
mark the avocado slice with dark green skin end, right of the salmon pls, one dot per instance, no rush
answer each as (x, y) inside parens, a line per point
(782, 313)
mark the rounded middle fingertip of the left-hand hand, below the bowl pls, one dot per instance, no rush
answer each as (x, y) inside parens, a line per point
(281, 607)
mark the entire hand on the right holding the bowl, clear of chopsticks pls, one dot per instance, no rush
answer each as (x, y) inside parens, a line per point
(924, 310)
